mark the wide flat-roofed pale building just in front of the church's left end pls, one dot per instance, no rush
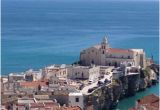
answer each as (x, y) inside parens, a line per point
(84, 72)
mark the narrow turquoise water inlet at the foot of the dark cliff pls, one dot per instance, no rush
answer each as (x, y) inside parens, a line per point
(130, 98)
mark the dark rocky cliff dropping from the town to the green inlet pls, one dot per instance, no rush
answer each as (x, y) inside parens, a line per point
(107, 97)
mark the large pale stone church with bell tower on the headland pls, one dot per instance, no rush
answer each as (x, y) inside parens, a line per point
(105, 55)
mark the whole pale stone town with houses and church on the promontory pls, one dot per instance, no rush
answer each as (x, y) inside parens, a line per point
(64, 86)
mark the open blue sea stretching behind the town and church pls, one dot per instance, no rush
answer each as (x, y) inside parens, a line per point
(38, 33)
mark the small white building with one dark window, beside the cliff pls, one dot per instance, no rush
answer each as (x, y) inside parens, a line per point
(76, 99)
